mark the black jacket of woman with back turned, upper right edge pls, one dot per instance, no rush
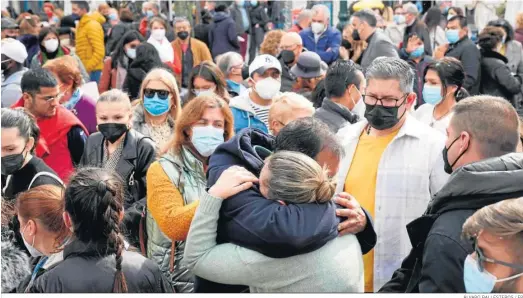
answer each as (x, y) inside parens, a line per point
(496, 78)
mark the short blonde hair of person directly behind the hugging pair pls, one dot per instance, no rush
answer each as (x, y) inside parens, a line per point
(288, 103)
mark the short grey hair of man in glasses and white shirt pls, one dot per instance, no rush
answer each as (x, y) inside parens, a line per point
(386, 68)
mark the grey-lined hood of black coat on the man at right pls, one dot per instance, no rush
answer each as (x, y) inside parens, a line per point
(482, 183)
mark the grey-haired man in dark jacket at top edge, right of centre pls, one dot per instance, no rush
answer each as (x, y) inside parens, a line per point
(414, 28)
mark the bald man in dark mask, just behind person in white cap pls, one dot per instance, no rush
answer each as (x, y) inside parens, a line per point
(291, 47)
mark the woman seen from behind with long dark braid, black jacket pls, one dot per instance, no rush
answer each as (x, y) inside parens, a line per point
(96, 261)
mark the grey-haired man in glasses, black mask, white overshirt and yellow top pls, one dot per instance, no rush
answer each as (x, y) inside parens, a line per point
(392, 166)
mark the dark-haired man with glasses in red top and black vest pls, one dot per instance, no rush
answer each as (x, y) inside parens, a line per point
(62, 135)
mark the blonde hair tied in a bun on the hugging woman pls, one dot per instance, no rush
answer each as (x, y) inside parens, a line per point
(296, 178)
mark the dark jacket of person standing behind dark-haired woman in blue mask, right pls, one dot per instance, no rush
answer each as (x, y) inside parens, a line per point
(466, 51)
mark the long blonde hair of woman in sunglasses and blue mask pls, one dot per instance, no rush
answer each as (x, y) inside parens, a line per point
(162, 75)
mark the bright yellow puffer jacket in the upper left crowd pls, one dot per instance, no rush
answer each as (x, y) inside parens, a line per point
(90, 43)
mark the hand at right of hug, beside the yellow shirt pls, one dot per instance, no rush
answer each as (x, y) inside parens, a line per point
(356, 219)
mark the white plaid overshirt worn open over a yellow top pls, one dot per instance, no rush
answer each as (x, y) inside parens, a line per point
(409, 173)
